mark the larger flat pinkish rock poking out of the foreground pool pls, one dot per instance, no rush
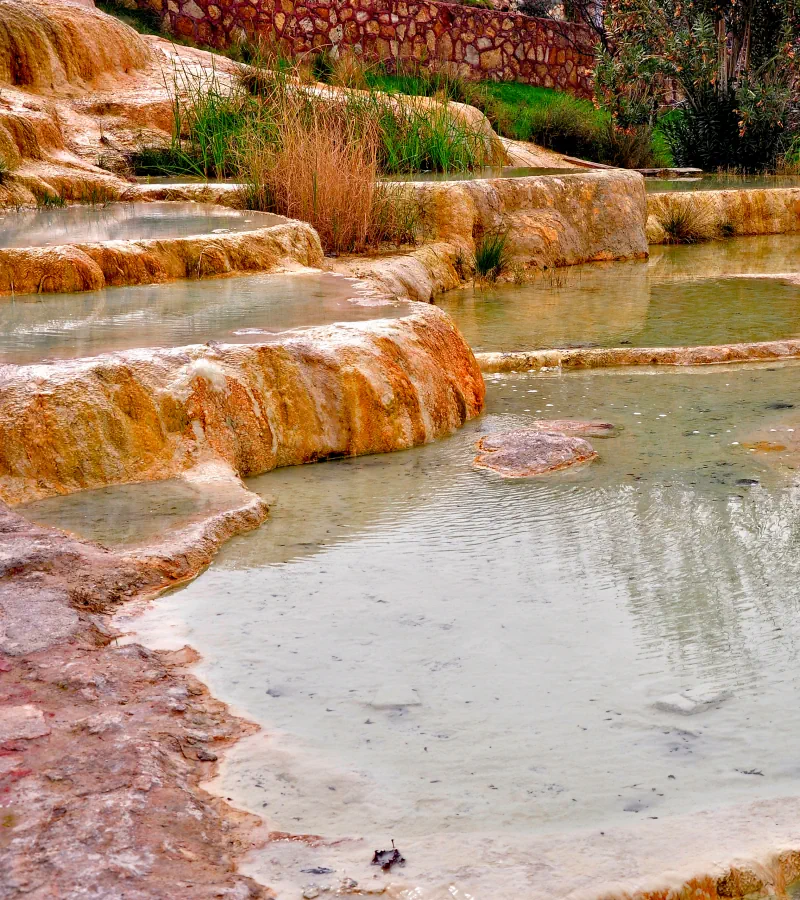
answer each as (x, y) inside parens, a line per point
(525, 452)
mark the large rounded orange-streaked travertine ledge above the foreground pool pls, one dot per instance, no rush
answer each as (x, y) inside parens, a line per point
(342, 390)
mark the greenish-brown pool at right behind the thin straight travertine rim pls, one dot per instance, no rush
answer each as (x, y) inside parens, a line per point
(745, 289)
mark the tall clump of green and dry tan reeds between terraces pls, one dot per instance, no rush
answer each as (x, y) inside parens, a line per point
(315, 153)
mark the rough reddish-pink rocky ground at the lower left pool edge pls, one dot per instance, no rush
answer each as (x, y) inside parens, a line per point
(103, 747)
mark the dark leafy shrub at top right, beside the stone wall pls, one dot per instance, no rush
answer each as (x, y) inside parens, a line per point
(733, 66)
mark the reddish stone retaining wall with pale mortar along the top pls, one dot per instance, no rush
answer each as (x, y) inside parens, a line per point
(479, 43)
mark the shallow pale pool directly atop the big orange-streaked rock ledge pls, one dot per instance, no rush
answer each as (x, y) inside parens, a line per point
(252, 308)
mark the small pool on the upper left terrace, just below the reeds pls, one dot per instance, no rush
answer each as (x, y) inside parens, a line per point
(124, 222)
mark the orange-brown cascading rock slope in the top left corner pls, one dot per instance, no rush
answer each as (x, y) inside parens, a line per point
(79, 88)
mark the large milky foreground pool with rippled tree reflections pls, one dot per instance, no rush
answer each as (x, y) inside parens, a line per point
(432, 648)
